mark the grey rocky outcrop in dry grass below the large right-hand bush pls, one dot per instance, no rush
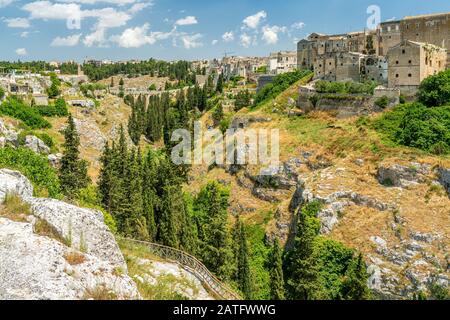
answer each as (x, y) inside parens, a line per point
(401, 176)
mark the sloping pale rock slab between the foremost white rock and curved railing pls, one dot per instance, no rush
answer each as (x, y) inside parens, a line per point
(83, 228)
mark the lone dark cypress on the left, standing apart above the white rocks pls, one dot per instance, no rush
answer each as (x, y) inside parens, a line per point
(73, 171)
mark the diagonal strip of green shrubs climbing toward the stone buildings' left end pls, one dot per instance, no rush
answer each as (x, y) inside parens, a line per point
(279, 84)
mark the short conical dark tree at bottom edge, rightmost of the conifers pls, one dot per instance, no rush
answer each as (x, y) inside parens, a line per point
(354, 286)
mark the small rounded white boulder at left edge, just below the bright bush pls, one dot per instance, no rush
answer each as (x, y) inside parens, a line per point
(13, 182)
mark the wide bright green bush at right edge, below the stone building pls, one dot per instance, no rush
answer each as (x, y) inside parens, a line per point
(415, 125)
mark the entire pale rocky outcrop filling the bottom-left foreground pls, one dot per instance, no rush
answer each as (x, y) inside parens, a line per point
(83, 230)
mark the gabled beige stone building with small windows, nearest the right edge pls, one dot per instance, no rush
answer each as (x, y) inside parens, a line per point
(411, 62)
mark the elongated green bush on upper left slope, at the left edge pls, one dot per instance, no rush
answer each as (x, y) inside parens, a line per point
(16, 108)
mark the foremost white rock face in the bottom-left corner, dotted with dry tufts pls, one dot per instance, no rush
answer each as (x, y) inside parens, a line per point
(34, 267)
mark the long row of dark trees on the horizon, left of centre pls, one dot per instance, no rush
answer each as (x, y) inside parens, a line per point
(180, 70)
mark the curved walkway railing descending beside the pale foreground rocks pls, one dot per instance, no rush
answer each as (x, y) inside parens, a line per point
(192, 265)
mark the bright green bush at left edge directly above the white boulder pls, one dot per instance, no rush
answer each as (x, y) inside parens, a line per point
(34, 167)
